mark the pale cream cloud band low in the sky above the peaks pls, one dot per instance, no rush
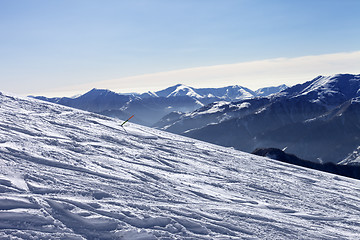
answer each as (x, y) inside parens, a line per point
(252, 75)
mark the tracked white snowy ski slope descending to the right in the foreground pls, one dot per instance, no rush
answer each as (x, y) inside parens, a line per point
(68, 174)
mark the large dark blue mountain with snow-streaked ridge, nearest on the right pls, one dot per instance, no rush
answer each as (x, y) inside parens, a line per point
(318, 120)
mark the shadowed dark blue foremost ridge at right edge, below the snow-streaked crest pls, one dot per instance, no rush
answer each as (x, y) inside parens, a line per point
(330, 137)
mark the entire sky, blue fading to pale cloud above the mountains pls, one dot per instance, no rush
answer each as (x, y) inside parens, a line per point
(66, 47)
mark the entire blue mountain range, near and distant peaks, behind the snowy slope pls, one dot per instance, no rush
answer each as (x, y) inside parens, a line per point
(317, 120)
